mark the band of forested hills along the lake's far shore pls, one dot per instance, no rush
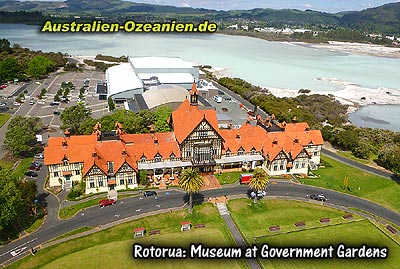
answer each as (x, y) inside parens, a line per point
(383, 19)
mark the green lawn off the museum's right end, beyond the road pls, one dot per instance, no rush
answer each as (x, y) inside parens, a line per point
(377, 189)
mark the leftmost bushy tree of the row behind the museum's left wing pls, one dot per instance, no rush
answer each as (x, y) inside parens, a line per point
(73, 117)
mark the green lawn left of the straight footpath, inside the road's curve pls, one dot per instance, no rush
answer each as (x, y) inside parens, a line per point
(112, 248)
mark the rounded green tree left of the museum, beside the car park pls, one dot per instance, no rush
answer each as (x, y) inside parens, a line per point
(21, 134)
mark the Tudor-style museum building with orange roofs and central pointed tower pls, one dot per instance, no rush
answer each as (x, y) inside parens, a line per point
(111, 160)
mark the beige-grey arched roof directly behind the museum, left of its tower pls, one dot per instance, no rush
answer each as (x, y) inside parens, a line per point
(164, 94)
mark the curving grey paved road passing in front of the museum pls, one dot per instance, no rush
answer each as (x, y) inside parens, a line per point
(173, 198)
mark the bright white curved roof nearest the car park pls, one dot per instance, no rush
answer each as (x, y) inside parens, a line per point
(121, 78)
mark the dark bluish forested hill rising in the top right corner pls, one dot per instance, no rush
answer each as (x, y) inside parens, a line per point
(385, 18)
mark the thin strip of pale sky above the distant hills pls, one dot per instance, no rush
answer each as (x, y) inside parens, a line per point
(331, 6)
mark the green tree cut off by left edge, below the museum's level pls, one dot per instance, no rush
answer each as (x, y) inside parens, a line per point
(10, 198)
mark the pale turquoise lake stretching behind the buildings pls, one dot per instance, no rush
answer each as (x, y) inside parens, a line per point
(268, 64)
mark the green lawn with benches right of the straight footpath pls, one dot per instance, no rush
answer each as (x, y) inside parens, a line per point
(255, 219)
